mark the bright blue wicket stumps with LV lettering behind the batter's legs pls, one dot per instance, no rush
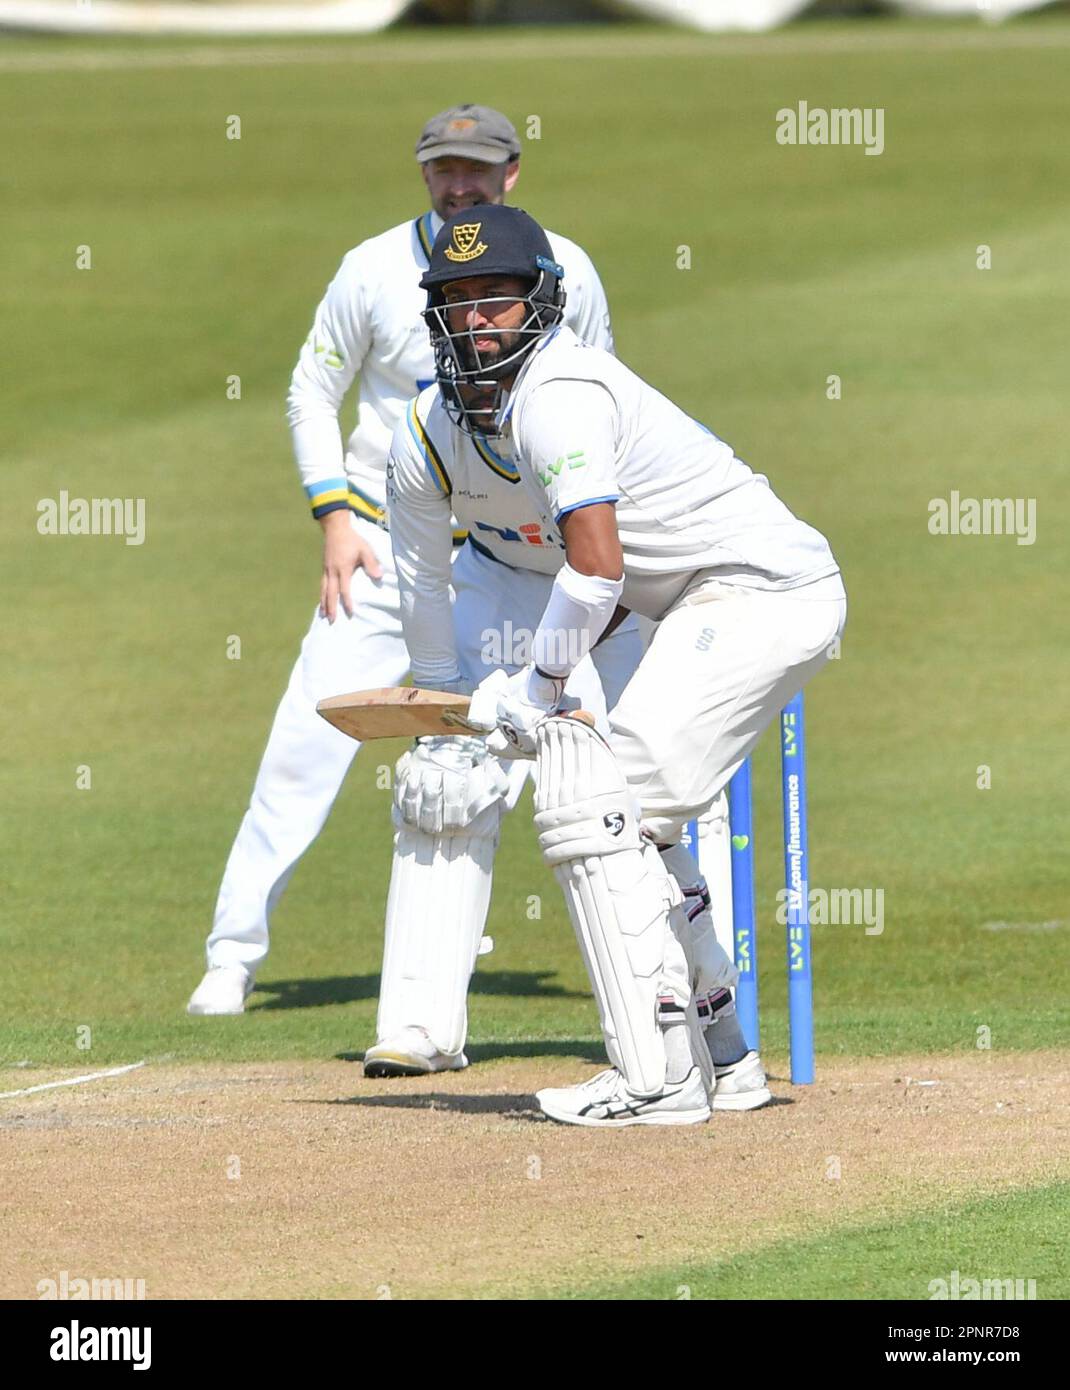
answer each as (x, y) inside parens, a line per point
(796, 882)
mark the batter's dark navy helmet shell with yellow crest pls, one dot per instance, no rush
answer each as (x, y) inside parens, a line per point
(491, 240)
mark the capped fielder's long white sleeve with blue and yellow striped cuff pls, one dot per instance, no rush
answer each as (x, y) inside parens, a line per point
(331, 358)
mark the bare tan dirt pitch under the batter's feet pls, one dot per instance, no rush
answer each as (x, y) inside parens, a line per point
(306, 1181)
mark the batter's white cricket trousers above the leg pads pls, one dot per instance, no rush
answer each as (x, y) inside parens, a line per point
(723, 664)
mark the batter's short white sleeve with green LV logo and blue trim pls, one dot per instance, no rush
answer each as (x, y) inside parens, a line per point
(568, 439)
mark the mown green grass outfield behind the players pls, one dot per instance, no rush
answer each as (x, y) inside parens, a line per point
(209, 256)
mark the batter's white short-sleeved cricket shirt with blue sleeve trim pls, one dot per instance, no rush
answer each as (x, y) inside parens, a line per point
(586, 429)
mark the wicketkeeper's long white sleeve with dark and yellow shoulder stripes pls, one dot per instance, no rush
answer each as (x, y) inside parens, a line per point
(422, 537)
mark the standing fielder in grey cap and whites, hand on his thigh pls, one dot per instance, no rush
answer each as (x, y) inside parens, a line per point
(369, 323)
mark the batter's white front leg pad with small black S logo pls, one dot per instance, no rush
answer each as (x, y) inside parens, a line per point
(618, 893)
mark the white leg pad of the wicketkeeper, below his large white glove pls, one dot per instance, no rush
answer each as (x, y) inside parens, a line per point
(436, 917)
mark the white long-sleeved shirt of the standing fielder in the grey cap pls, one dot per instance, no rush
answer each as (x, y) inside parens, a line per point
(369, 323)
